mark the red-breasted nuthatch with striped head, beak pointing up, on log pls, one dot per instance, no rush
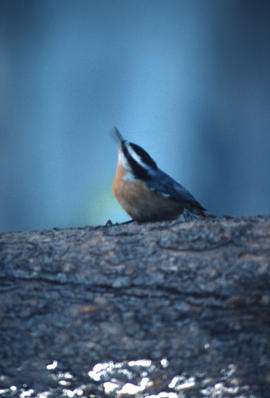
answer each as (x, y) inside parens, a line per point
(144, 191)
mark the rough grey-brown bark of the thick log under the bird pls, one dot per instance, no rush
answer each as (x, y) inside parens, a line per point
(193, 298)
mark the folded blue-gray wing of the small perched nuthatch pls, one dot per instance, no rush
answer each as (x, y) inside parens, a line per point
(166, 186)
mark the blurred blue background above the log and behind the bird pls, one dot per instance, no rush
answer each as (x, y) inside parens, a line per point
(189, 80)
